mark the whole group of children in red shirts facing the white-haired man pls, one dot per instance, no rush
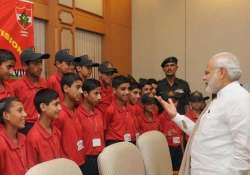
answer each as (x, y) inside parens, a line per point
(74, 116)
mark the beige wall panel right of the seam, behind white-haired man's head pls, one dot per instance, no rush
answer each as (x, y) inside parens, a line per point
(214, 26)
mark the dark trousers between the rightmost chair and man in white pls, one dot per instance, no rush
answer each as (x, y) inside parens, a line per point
(176, 156)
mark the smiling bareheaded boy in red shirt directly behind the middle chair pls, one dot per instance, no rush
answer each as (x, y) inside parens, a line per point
(119, 117)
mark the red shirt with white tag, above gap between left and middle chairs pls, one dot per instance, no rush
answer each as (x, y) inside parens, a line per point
(93, 129)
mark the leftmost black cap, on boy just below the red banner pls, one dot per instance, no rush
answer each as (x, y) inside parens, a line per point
(29, 54)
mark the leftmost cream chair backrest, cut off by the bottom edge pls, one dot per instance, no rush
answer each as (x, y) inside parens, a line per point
(56, 166)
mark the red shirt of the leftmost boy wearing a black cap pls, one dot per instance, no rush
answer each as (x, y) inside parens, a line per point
(26, 90)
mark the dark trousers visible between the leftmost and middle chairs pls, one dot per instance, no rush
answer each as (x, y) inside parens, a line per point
(90, 167)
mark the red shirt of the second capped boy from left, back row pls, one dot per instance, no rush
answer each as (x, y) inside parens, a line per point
(54, 82)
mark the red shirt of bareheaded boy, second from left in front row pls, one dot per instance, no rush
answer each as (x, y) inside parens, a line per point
(42, 146)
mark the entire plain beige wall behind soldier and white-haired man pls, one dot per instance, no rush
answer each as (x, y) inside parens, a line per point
(192, 30)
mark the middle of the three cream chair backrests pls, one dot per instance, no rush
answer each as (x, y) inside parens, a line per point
(122, 158)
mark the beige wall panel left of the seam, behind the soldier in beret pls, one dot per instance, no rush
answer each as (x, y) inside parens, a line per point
(158, 31)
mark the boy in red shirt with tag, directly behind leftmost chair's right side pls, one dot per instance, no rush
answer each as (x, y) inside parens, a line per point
(68, 122)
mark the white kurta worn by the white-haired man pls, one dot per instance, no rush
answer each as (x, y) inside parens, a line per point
(221, 144)
